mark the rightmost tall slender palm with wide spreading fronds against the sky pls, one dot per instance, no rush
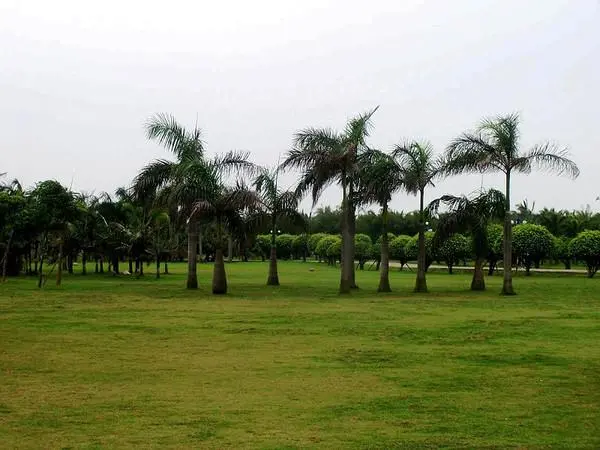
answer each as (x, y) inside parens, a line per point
(494, 147)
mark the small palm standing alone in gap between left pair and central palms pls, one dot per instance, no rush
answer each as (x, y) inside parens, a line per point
(276, 204)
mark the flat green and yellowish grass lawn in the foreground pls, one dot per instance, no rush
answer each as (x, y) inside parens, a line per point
(109, 362)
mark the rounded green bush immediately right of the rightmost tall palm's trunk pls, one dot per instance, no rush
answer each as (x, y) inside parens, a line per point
(531, 244)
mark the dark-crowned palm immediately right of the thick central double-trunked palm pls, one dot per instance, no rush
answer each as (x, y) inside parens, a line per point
(379, 178)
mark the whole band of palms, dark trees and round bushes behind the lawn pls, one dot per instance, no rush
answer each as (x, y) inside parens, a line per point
(201, 202)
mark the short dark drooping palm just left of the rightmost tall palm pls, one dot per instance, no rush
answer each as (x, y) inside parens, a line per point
(473, 216)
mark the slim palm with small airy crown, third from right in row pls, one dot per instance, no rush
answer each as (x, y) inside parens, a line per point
(420, 167)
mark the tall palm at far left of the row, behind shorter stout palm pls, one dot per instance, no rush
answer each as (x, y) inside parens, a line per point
(192, 177)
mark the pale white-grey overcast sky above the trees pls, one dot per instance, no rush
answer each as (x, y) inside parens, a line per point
(78, 79)
